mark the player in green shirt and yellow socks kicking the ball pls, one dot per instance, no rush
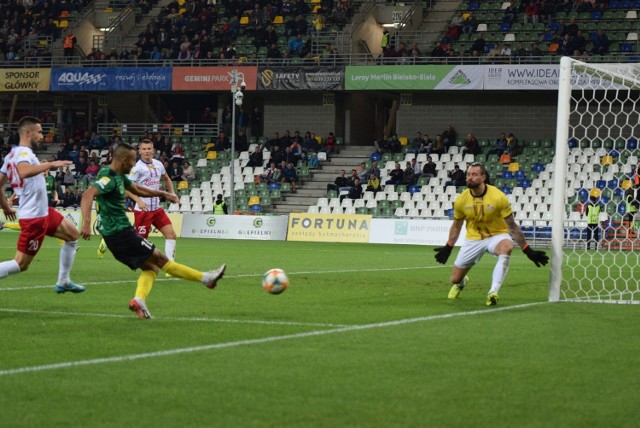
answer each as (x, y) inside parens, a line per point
(126, 245)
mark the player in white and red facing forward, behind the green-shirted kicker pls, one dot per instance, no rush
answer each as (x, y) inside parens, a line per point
(148, 172)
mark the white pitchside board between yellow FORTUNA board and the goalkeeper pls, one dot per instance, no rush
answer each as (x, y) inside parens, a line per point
(409, 231)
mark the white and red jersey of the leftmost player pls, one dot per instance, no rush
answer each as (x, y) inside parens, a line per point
(31, 191)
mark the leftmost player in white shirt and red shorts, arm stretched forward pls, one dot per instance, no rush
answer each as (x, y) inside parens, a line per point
(24, 173)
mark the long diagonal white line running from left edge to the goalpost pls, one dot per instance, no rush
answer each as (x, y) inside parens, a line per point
(170, 352)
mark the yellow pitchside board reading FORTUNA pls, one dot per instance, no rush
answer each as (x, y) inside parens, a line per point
(328, 227)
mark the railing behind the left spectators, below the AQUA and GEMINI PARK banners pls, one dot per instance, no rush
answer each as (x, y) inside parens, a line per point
(167, 129)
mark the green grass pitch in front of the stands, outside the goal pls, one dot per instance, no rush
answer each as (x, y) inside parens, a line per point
(364, 337)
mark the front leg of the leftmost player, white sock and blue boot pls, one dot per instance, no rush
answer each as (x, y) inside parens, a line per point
(62, 228)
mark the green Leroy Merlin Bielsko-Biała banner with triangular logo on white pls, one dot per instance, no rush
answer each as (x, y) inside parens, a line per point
(413, 77)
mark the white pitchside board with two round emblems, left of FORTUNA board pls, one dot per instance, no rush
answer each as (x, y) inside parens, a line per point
(269, 228)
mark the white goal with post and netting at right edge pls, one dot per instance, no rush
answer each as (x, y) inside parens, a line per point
(596, 250)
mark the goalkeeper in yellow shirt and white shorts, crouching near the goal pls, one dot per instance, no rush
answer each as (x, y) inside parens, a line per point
(490, 226)
